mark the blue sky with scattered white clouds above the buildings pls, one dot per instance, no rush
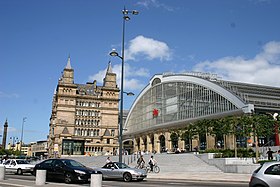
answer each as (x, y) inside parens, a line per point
(239, 40)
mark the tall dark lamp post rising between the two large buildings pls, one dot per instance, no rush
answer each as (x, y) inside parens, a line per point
(115, 53)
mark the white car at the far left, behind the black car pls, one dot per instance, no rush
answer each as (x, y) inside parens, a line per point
(18, 166)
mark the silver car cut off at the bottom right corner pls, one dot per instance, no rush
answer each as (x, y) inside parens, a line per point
(267, 175)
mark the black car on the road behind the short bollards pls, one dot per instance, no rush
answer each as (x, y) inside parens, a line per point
(65, 169)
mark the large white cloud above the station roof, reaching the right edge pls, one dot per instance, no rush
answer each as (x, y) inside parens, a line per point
(264, 68)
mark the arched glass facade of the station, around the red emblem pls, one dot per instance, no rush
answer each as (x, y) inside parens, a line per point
(175, 101)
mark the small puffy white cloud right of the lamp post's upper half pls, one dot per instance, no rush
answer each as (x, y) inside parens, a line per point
(147, 48)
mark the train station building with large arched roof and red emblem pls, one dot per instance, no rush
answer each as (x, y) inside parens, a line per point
(171, 101)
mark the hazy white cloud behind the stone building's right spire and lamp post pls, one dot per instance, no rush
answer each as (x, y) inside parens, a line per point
(130, 75)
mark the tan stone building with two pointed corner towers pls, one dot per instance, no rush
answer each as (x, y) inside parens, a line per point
(84, 118)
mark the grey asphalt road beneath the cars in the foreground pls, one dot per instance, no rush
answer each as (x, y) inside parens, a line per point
(146, 183)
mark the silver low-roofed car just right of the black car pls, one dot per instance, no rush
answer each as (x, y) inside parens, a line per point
(117, 170)
